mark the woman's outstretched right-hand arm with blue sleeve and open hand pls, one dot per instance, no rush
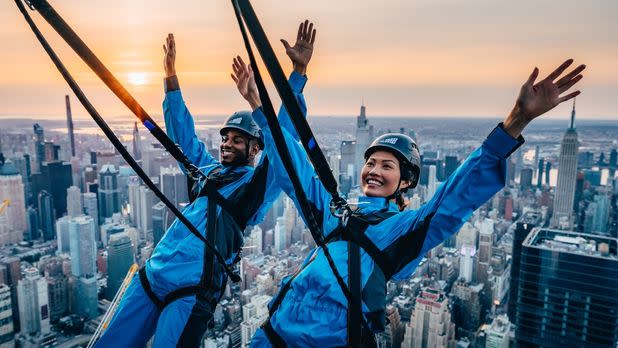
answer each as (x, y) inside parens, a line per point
(483, 173)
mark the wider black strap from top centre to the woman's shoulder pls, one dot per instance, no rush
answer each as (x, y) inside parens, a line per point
(290, 103)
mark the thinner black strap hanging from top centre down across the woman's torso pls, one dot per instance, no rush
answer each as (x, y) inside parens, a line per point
(284, 154)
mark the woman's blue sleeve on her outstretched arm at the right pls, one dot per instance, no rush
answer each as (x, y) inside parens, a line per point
(471, 185)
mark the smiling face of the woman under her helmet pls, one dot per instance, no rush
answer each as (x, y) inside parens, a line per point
(381, 175)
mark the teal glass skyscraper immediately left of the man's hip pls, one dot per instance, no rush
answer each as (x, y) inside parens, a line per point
(119, 259)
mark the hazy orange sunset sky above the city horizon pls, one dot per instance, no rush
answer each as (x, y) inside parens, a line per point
(402, 57)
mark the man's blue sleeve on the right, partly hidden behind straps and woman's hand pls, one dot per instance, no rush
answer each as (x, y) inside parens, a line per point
(272, 190)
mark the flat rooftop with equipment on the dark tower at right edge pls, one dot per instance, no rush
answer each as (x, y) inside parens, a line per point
(573, 243)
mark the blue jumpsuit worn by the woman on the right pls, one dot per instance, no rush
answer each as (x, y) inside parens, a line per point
(313, 312)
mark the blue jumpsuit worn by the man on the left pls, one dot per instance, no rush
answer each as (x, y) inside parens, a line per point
(179, 259)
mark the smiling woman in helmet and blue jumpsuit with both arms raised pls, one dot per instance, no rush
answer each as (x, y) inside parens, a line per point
(312, 309)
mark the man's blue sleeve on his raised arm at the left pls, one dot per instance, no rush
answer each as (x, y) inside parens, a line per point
(180, 127)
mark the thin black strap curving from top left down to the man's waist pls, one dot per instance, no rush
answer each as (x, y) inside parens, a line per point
(115, 141)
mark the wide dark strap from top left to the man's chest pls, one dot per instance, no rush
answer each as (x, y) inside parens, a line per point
(76, 43)
